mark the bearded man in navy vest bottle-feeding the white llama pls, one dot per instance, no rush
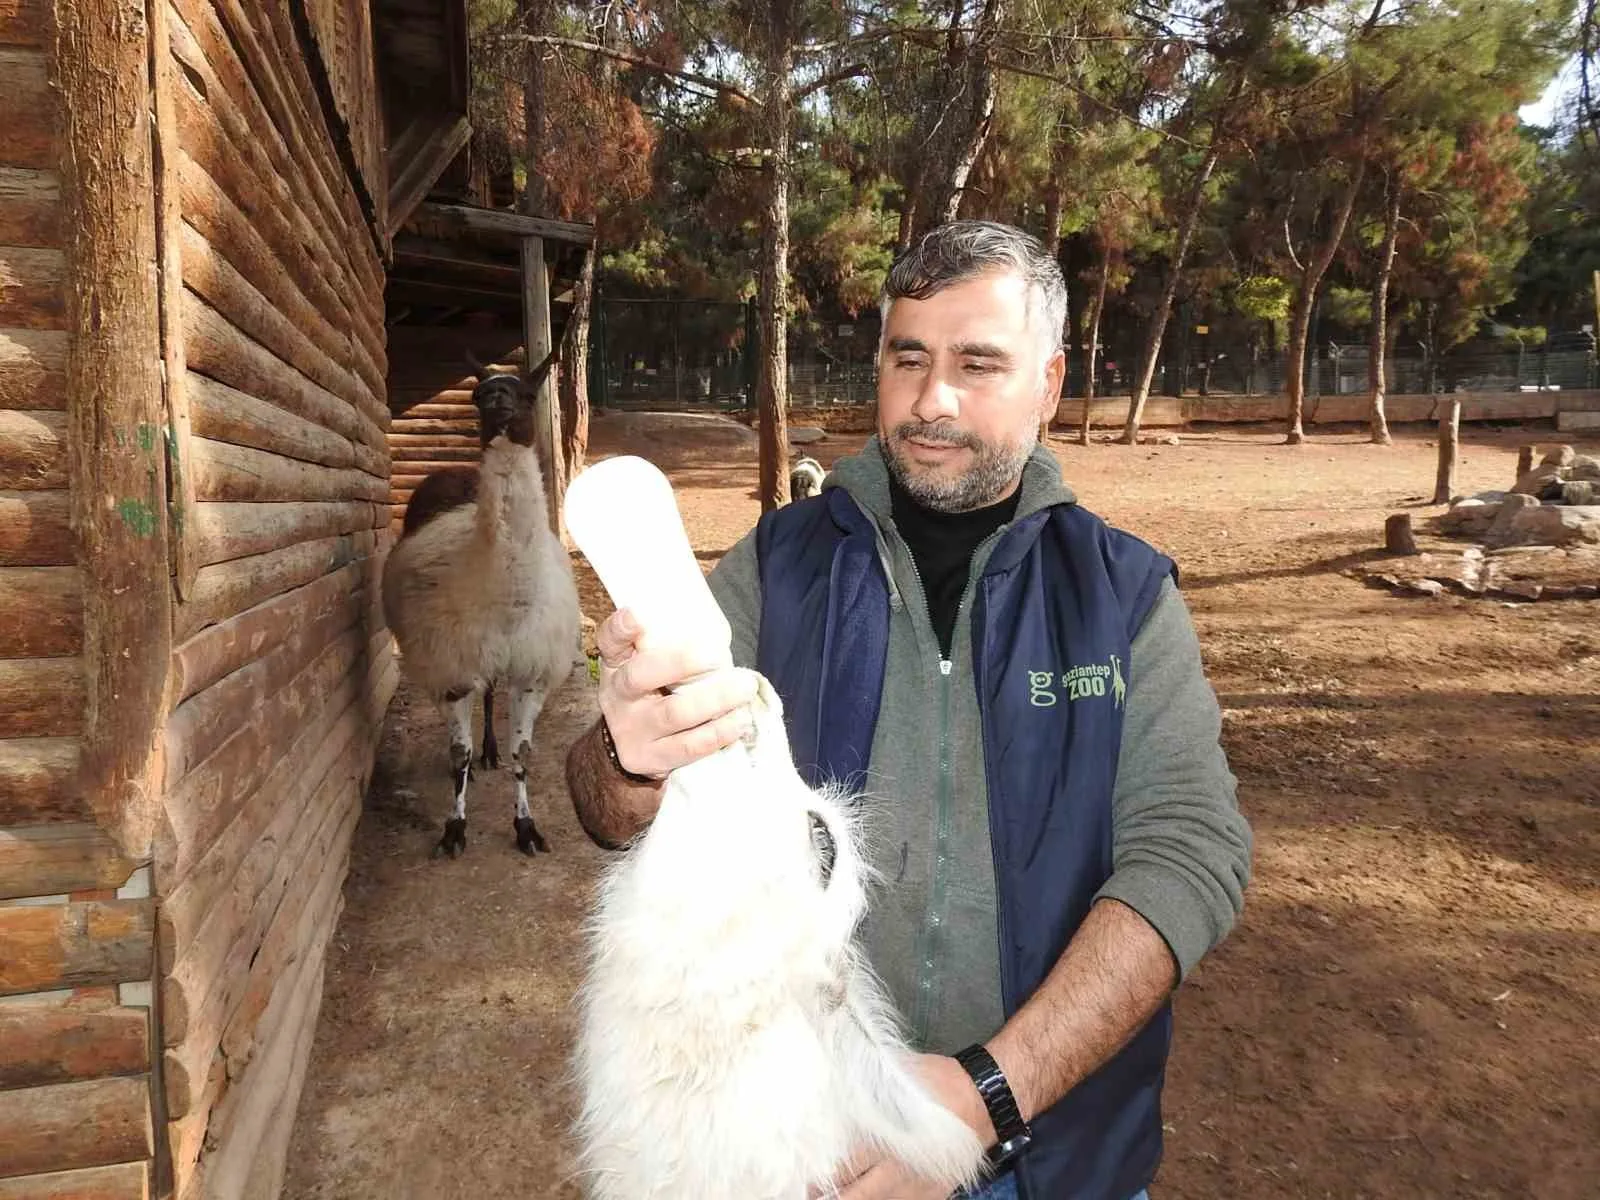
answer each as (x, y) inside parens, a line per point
(1020, 692)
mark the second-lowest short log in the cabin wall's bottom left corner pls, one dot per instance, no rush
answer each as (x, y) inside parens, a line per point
(66, 1126)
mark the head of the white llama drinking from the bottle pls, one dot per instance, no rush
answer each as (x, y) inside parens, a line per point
(746, 892)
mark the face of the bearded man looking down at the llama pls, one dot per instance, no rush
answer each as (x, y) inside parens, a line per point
(964, 382)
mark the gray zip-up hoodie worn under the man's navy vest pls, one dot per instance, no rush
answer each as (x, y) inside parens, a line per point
(1182, 847)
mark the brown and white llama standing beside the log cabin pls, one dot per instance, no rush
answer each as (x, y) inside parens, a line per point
(479, 594)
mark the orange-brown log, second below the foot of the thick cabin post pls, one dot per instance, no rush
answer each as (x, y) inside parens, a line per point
(78, 945)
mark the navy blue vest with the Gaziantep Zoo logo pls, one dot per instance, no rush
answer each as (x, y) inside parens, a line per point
(1062, 591)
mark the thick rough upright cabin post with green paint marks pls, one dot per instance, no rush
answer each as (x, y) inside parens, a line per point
(116, 418)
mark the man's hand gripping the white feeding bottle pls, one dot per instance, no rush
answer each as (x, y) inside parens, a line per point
(655, 730)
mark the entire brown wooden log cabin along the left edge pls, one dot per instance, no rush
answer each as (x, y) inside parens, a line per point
(199, 202)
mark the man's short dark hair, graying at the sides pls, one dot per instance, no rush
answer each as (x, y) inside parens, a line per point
(964, 250)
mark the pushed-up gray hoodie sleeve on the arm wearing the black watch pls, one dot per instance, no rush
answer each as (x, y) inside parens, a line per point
(1182, 849)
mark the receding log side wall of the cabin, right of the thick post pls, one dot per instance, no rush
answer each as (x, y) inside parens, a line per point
(281, 668)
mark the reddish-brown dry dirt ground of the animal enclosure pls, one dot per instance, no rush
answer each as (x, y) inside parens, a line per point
(1407, 1009)
